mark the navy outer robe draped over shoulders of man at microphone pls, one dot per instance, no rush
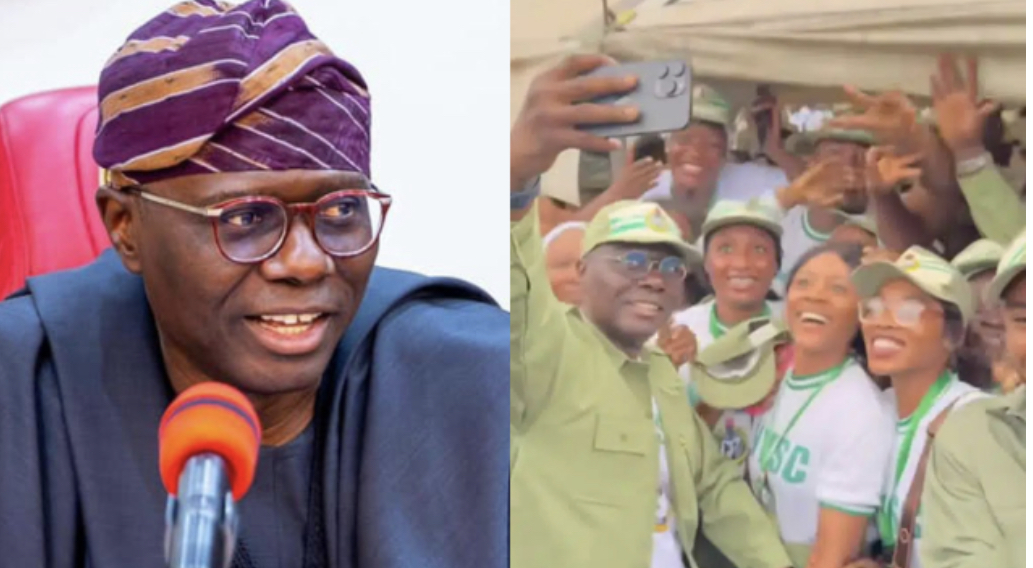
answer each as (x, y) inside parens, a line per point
(412, 437)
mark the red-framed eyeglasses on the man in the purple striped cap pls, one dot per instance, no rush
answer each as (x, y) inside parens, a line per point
(252, 230)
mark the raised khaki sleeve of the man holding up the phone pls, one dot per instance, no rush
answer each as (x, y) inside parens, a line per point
(538, 327)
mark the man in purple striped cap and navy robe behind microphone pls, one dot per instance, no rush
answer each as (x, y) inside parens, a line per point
(245, 230)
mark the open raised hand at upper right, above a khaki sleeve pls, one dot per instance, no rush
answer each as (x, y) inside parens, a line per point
(960, 116)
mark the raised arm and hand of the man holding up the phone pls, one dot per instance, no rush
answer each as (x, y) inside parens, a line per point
(545, 129)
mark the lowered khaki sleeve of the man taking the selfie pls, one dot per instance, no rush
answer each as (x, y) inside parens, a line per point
(731, 517)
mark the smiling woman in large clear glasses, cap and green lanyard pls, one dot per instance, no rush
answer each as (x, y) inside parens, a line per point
(914, 314)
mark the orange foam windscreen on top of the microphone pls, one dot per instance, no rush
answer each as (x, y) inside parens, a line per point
(210, 418)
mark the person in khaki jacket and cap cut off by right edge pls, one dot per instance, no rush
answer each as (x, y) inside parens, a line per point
(975, 499)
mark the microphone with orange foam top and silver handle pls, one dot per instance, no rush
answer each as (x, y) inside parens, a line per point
(208, 447)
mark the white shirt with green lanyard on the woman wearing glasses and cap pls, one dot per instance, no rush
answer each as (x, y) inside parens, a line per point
(909, 446)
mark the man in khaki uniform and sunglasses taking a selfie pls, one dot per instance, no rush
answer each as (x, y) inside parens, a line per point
(597, 419)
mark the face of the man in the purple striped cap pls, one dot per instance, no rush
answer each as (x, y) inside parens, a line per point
(210, 310)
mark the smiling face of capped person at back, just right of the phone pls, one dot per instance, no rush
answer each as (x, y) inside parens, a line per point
(697, 155)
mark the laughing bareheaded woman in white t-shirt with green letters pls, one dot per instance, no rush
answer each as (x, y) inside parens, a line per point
(822, 449)
